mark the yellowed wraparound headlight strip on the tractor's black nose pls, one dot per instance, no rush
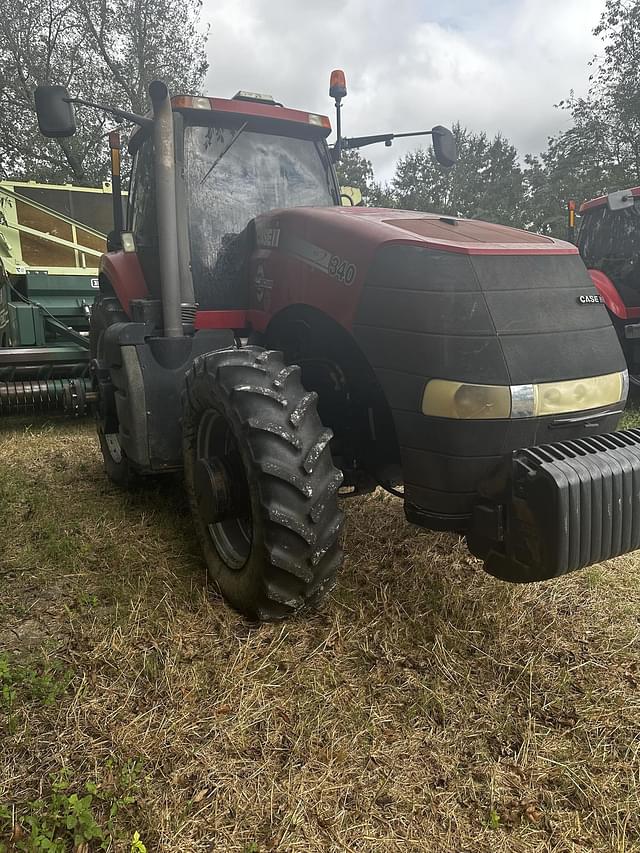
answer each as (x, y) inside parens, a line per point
(446, 399)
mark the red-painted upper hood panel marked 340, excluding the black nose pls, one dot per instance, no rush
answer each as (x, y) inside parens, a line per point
(321, 257)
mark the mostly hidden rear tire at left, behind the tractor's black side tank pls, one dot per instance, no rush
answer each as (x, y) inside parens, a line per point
(107, 311)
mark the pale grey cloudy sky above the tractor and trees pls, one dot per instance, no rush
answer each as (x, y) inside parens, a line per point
(495, 65)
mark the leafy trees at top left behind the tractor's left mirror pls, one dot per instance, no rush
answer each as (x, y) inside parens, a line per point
(101, 50)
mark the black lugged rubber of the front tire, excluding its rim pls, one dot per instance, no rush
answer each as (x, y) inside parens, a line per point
(291, 462)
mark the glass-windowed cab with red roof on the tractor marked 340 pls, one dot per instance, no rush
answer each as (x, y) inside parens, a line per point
(236, 159)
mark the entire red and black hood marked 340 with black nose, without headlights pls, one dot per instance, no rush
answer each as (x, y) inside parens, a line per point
(428, 297)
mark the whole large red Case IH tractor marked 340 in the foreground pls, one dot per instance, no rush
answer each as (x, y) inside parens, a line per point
(283, 350)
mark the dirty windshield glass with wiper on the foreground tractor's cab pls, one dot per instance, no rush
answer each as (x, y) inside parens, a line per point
(234, 173)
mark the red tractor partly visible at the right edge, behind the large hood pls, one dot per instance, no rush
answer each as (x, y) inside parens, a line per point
(609, 242)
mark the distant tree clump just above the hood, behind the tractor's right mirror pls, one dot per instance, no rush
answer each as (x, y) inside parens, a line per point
(485, 183)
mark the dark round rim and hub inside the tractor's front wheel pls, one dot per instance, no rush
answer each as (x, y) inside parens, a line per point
(219, 461)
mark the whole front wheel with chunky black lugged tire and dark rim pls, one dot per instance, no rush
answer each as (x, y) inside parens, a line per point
(261, 482)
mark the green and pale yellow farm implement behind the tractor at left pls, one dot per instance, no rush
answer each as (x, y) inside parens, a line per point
(51, 240)
